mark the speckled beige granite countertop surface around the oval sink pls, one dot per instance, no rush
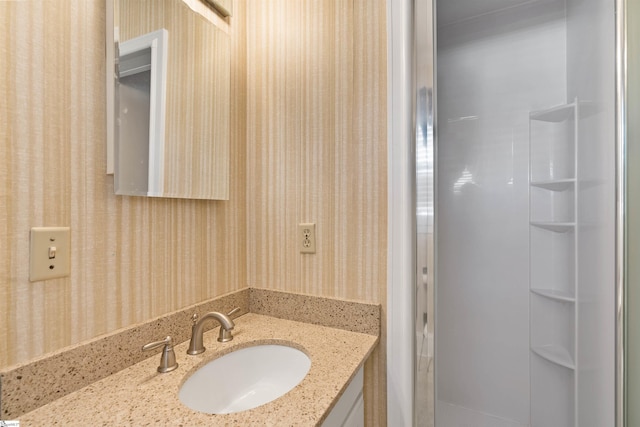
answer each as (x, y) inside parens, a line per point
(140, 396)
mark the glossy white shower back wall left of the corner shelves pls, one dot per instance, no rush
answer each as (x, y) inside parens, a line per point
(492, 70)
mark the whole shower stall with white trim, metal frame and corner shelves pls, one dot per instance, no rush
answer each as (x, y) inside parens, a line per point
(503, 271)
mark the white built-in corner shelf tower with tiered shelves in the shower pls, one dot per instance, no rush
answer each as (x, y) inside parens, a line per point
(553, 259)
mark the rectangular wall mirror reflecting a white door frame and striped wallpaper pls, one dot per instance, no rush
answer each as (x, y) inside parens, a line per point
(171, 106)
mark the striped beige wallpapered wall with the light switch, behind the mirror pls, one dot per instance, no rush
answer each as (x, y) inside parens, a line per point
(132, 258)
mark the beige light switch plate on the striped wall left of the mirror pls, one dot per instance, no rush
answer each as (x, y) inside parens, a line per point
(50, 251)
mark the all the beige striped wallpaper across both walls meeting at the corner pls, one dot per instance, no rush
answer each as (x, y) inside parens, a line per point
(308, 143)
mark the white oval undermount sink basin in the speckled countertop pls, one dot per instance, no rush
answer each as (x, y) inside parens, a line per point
(244, 379)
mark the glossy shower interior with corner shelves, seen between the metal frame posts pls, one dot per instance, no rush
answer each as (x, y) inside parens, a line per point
(524, 250)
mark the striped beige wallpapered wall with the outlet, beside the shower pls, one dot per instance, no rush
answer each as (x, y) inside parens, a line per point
(316, 152)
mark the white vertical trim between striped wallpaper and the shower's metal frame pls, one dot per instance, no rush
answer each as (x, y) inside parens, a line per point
(401, 218)
